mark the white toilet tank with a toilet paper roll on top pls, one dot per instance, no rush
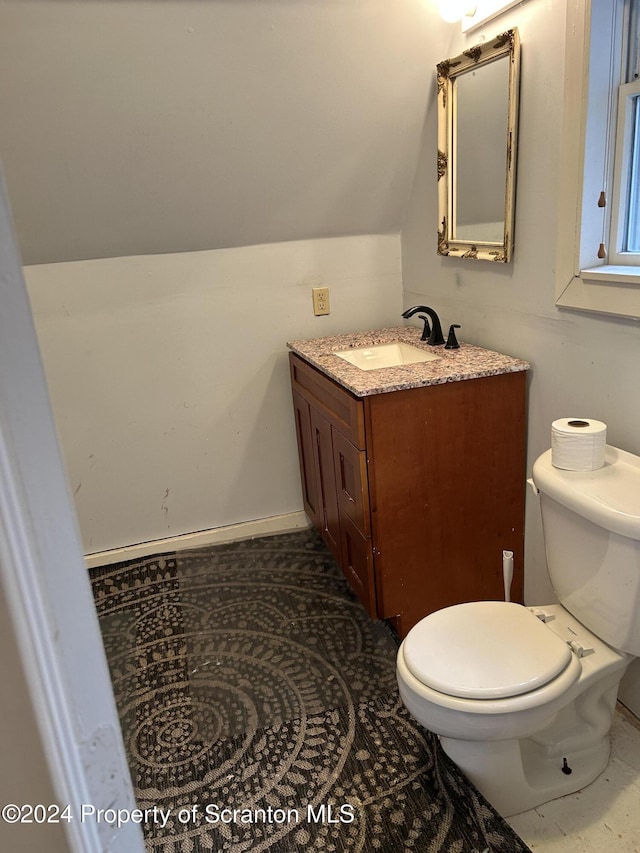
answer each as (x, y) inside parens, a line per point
(591, 525)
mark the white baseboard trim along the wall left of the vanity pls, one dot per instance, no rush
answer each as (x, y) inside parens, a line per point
(215, 536)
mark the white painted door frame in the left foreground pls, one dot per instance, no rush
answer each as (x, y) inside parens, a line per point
(47, 588)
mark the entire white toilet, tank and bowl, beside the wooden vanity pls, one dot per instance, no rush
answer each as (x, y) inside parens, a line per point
(522, 698)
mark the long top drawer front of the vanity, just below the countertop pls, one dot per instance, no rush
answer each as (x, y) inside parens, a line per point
(339, 407)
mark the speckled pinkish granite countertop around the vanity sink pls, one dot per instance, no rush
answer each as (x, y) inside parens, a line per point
(454, 365)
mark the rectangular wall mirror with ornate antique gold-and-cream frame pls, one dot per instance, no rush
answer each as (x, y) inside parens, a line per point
(477, 122)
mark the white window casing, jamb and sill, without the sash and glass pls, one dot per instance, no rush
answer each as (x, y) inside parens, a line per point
(592, 77)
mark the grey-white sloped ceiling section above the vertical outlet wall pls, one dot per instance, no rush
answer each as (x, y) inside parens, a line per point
(146, 126)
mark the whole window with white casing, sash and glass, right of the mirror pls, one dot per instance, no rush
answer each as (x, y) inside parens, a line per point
(599, 226)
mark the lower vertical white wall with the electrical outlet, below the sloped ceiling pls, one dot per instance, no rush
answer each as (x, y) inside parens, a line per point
(169, 376)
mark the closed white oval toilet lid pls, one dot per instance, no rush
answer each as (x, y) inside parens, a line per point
(484, 650)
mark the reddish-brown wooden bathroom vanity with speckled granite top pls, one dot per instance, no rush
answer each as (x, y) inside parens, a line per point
(414, 475)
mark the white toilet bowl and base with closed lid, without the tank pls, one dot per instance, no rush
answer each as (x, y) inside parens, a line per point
(531, 726)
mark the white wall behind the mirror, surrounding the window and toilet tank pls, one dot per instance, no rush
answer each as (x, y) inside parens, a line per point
(582, 365)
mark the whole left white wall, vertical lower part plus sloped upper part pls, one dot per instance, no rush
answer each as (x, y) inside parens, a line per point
(135, 133)
